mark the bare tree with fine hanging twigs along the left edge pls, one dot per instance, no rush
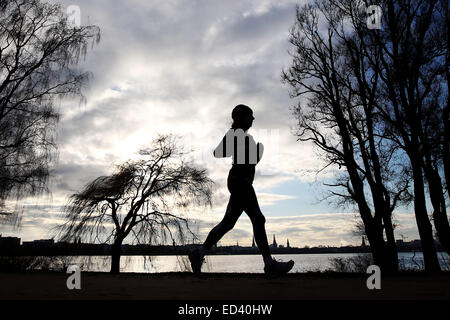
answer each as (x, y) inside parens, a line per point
(39, 50)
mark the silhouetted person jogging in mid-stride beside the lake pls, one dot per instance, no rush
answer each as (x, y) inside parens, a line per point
(245, 154)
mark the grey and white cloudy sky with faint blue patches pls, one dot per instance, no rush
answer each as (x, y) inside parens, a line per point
(179, 67)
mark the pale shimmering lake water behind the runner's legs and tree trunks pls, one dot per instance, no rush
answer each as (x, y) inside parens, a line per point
(236, 263)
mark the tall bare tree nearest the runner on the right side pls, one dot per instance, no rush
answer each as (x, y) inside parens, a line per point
(337, 112)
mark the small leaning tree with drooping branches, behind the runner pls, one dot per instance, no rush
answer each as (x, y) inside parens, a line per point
(145, 199)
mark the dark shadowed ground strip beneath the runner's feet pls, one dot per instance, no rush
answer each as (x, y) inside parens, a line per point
(216, 286)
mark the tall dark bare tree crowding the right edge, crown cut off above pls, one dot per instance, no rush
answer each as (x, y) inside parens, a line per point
(410, 53)
